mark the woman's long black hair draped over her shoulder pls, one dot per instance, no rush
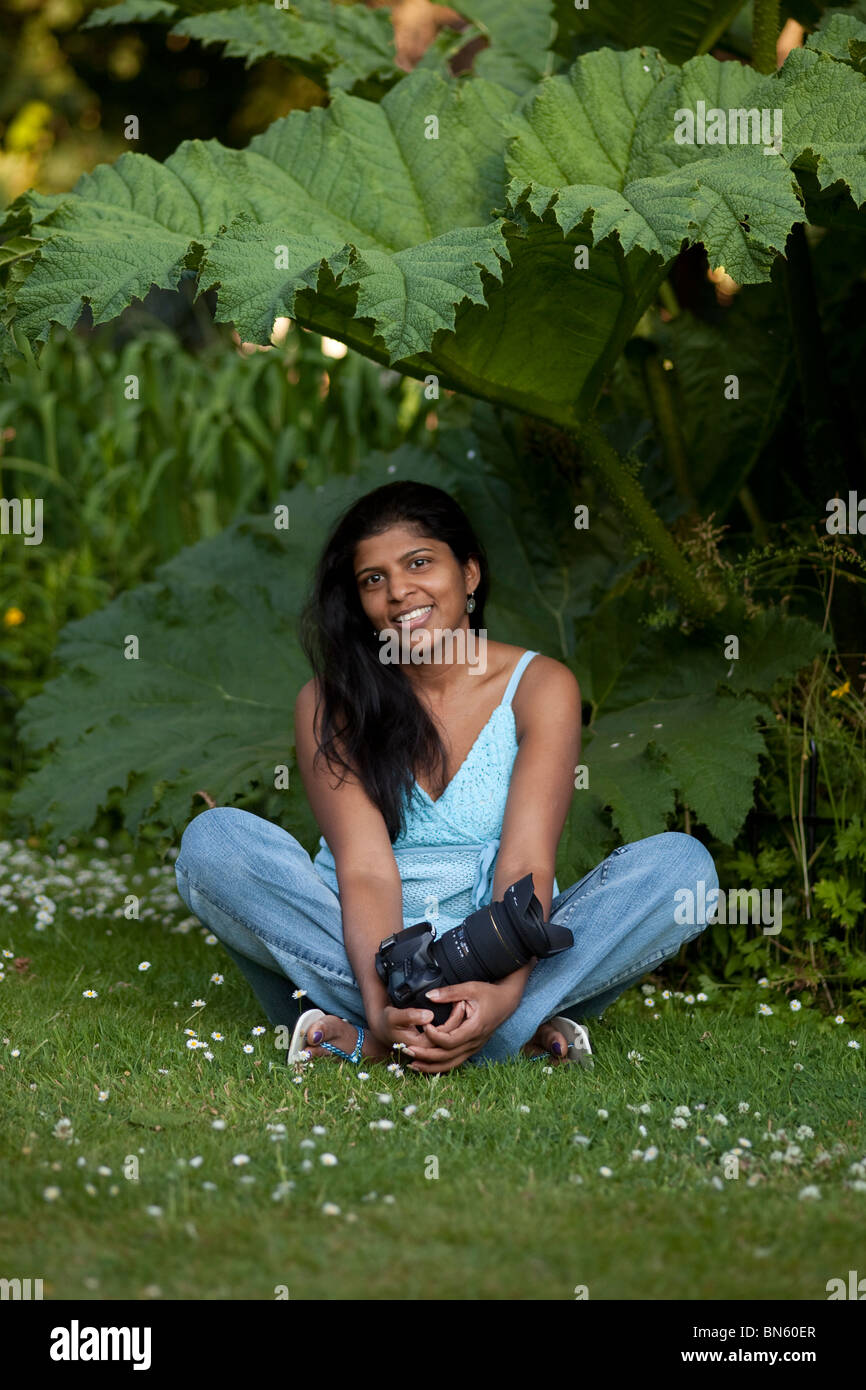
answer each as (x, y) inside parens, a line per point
(372, 723)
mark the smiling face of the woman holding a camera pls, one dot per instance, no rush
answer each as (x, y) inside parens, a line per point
(412, 584)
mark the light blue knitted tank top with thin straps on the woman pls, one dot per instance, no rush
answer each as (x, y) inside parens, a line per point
(447, 851)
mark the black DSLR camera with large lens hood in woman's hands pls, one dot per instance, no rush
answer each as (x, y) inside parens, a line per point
(490, 945)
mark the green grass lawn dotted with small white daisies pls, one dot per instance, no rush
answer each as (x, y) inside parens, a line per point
(141, 1195)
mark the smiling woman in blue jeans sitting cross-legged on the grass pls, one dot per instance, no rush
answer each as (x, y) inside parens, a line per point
(440, 767)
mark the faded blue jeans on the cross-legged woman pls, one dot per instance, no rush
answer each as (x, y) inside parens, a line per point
(256, 889)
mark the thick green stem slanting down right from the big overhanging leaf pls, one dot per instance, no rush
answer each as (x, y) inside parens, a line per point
(626, 491)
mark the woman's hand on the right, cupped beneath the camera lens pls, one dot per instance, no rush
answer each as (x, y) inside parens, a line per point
(484, 1008)
